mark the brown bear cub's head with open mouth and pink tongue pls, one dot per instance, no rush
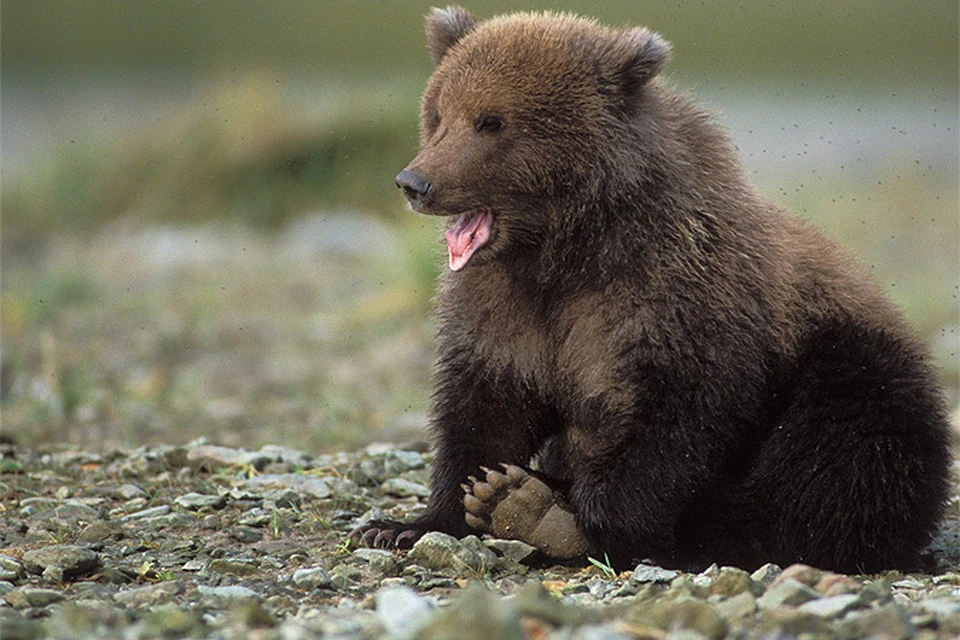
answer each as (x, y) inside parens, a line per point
(524, 120)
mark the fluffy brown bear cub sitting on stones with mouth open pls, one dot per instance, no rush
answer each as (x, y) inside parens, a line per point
(667, 365)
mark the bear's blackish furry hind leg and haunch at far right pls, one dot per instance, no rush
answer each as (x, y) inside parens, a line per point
(854, 474)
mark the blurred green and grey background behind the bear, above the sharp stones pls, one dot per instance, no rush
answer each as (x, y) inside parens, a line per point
(201, 236)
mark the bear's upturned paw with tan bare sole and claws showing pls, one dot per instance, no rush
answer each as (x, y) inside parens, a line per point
(519, 506)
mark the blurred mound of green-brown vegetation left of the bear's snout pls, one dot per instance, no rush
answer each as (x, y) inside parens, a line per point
(248, 153)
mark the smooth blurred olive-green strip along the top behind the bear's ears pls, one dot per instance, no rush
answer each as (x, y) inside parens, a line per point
(865, 40)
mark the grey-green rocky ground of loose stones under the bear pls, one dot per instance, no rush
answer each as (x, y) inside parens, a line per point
(207, 541)
